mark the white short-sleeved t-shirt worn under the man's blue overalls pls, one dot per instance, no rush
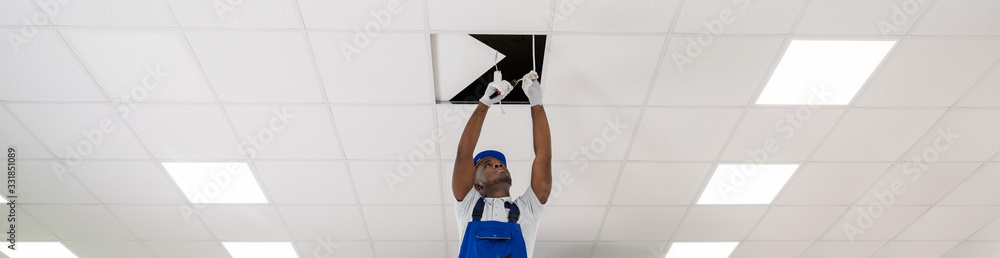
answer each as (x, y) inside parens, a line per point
(527, 204)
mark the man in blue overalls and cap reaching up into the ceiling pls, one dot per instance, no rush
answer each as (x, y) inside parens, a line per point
(492, 224)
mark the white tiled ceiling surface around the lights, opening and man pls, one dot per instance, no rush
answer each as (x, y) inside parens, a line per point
(636, 134)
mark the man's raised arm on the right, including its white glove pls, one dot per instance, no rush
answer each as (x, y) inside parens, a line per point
(541, 168)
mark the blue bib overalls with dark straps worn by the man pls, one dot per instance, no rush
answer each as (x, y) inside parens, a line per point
(493, 239)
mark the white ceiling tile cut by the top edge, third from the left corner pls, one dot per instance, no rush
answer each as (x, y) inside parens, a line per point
(236, 14)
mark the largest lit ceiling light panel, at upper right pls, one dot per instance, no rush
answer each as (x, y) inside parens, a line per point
(823, 72)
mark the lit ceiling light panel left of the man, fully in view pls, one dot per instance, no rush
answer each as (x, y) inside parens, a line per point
(216, 182)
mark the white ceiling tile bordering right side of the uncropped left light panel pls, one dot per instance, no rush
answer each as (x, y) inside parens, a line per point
(307, 182)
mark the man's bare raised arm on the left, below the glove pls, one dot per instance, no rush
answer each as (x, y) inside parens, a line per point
(464, 174)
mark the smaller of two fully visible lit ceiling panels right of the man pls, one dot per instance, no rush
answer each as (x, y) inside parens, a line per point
(746, 183)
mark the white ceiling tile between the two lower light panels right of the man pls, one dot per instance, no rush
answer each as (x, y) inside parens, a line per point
(718, 223)
